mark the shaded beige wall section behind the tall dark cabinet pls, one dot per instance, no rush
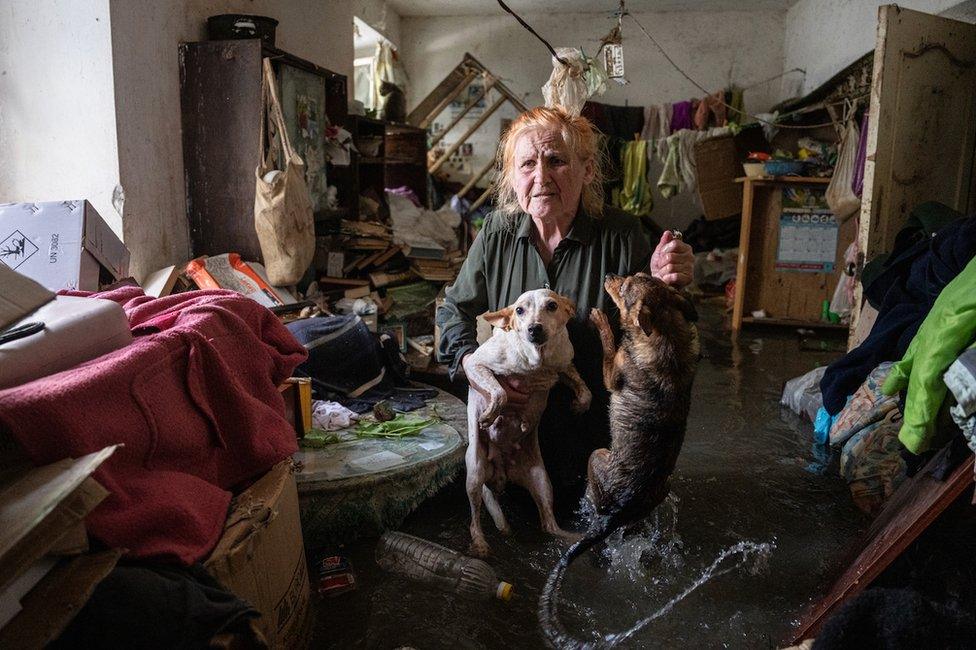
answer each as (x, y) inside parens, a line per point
(145, 36)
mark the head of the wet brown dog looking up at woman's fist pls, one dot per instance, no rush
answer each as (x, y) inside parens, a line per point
(648, 303)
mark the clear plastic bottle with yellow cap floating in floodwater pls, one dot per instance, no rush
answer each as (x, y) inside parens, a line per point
(441, 567)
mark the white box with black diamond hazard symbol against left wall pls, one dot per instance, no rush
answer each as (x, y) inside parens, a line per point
(61, 244)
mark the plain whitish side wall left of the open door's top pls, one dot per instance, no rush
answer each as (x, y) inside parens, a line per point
(825, 36)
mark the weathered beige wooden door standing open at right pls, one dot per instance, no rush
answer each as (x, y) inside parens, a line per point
(922, 128)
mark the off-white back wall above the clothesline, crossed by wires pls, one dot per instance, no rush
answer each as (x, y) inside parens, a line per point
(715, 48)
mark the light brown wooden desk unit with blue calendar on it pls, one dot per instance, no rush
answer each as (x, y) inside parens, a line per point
(790, 299)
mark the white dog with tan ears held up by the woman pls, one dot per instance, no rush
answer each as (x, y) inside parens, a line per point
(529, 343)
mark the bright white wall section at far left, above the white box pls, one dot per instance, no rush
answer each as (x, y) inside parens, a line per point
(57, 113)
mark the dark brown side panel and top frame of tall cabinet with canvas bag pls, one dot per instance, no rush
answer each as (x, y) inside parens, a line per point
(220, 93)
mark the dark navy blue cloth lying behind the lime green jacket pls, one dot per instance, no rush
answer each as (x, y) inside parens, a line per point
(906, 291)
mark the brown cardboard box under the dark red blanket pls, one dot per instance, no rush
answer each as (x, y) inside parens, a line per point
(261, 557)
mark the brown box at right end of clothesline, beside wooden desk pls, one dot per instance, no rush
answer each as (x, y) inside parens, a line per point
(718, 166)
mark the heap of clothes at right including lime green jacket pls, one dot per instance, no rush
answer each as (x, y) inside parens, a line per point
(888, 396)
